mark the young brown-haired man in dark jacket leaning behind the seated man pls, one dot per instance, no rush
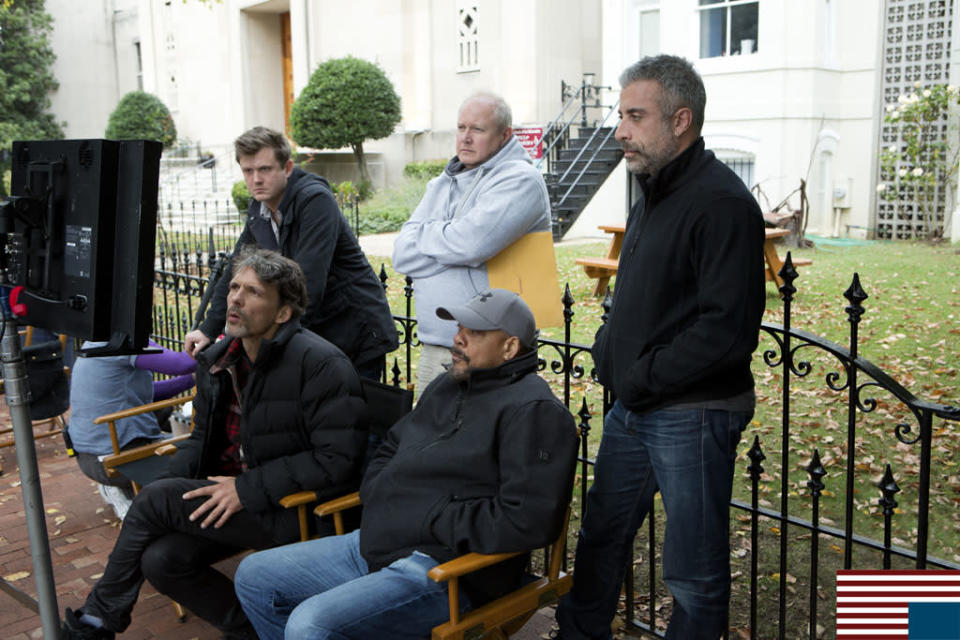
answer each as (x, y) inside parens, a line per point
(294, 212)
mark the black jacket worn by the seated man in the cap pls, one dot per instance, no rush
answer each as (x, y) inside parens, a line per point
(484, 465)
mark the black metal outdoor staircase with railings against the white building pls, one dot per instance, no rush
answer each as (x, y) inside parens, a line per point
(579, 153)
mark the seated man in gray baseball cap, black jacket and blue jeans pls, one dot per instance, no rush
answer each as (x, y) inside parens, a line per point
(484, 463)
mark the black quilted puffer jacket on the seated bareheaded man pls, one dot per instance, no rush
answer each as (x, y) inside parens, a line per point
(303, 426)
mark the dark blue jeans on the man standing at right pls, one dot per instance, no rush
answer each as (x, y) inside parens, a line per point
(688, 455)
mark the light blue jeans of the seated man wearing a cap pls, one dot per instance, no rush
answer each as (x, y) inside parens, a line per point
(323, 589)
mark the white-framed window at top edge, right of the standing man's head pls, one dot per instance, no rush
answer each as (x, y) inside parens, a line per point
(728, 27)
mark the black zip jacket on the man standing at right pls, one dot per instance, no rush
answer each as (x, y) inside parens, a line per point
(689, 293)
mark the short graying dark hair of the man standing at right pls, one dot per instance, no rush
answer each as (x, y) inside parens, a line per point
(680, 84)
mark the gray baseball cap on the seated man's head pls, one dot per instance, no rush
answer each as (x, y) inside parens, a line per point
(496, 309)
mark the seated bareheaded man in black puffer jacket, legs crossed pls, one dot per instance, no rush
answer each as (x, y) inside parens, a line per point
(278, 410)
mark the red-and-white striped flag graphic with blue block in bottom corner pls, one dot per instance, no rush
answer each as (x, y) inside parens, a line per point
(892, 605)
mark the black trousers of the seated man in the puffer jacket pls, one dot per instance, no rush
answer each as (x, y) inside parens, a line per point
(158, 542)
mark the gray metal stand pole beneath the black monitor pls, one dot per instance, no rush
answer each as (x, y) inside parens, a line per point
(18, 399)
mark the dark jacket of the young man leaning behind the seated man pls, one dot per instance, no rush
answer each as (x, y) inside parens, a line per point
(345, 301)
